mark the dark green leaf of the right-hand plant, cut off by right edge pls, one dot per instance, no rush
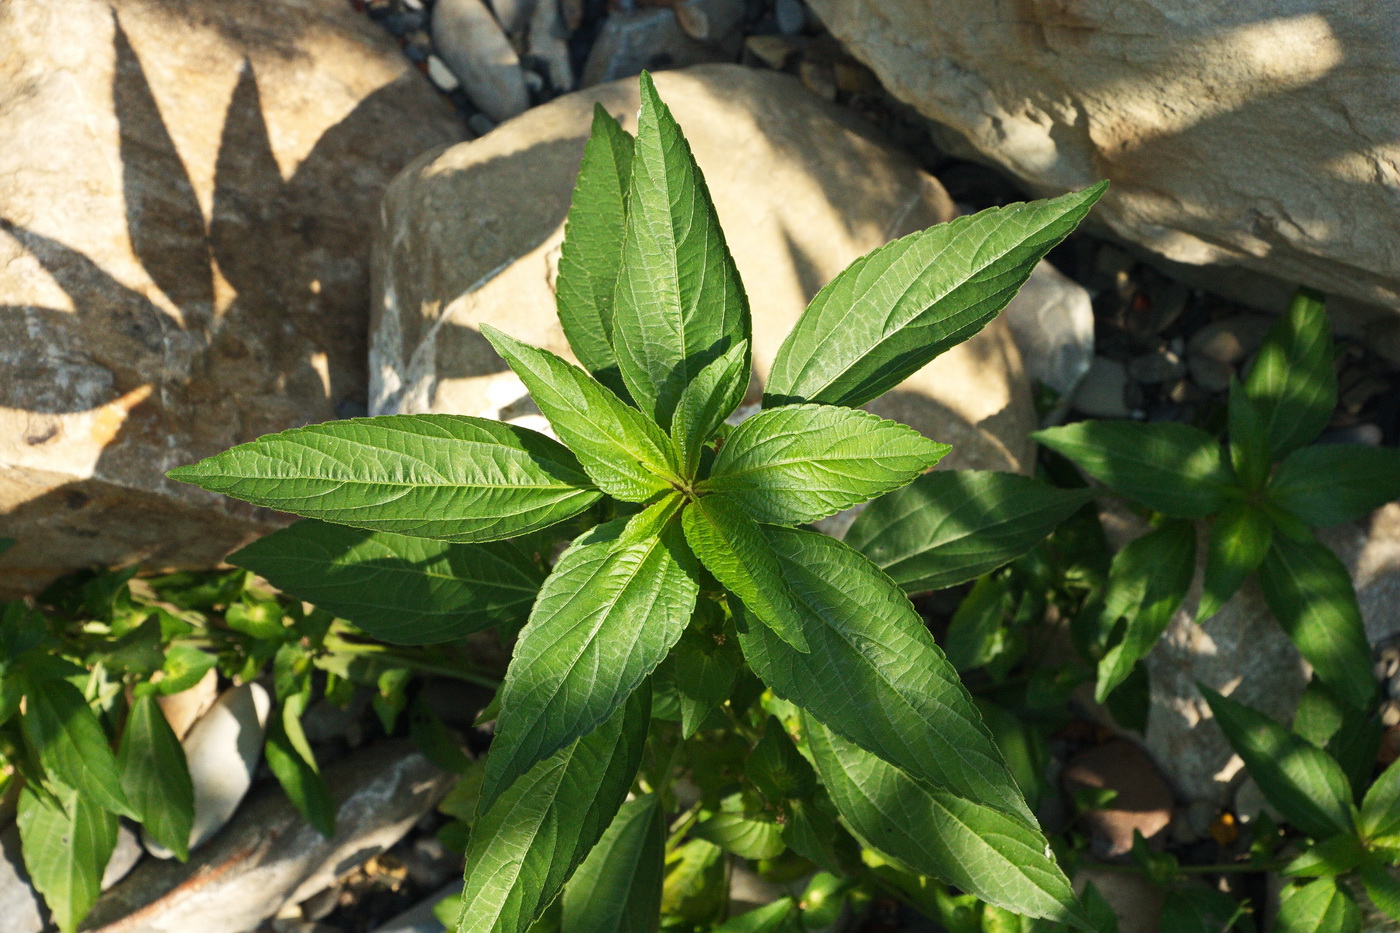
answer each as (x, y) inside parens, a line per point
(1331, 484)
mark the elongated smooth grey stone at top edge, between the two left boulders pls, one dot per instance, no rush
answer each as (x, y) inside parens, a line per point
(475, 47)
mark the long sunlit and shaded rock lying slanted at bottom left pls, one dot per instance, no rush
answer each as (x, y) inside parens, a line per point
(271, 857)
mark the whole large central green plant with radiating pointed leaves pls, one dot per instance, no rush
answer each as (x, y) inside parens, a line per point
(689, 586)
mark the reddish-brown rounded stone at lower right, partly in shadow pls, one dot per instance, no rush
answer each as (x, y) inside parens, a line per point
(1143, 803)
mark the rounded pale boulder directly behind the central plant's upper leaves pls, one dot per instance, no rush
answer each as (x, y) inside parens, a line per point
(472, 236)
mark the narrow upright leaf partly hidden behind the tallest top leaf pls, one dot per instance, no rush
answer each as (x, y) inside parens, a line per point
(591, 256)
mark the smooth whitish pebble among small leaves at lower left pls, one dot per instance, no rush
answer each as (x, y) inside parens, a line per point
(223, 750)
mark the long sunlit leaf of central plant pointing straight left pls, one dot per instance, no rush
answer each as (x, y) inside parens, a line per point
(447, 477)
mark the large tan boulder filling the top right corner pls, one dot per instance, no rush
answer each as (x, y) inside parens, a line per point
(1255, 134)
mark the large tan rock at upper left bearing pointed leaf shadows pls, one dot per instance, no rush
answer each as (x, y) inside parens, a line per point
(187, 193)
